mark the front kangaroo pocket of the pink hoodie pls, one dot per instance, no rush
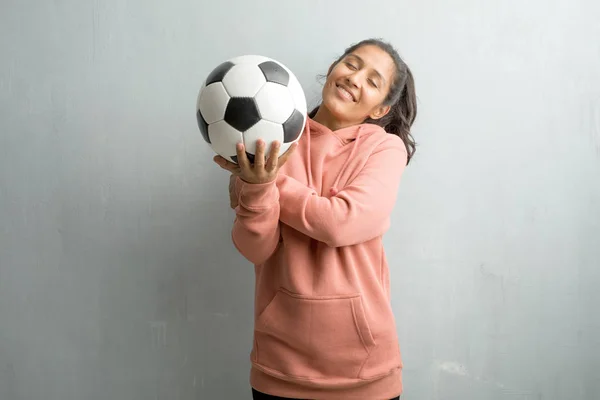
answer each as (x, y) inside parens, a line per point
(320, 339)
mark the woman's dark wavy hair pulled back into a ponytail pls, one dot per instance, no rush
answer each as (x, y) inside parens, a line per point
(402, 97)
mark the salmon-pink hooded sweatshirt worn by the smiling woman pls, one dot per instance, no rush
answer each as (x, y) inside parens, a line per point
(324, 327)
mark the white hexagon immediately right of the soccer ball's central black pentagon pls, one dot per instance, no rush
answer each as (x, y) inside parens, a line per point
(275, 102)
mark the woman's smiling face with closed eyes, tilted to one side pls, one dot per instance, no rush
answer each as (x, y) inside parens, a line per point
(358, 84)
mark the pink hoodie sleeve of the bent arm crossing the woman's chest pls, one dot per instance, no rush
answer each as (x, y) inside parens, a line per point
(357, 213)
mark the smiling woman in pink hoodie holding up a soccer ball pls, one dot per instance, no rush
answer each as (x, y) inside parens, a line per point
(312, 221)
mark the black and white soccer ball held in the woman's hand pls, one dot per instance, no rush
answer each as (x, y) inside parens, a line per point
(248, 98)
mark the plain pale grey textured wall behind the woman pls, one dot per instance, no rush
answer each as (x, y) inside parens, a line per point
(118, 279)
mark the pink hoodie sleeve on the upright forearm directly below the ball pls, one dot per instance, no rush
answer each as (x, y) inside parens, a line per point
(255, 230)
